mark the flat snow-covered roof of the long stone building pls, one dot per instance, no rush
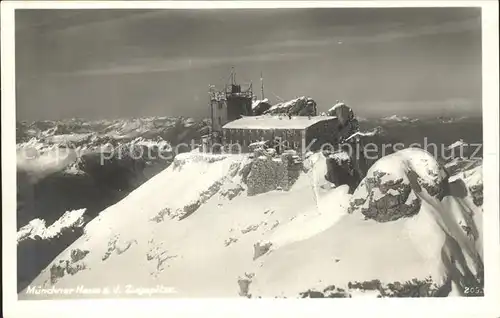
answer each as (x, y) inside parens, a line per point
(275, 122)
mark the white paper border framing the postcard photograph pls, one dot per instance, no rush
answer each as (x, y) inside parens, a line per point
(458, 307)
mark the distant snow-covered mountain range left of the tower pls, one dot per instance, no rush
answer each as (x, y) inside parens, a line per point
(49, 146)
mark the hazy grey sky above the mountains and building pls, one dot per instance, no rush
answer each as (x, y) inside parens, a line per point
(122, 63)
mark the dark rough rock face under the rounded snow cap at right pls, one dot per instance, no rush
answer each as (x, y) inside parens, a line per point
(386, 201)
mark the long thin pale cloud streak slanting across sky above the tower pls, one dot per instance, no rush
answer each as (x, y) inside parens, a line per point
(140, 66)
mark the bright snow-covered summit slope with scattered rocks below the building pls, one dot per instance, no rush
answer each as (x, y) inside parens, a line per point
(193, 231)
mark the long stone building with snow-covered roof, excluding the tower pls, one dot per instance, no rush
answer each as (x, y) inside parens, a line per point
(281, 132)
